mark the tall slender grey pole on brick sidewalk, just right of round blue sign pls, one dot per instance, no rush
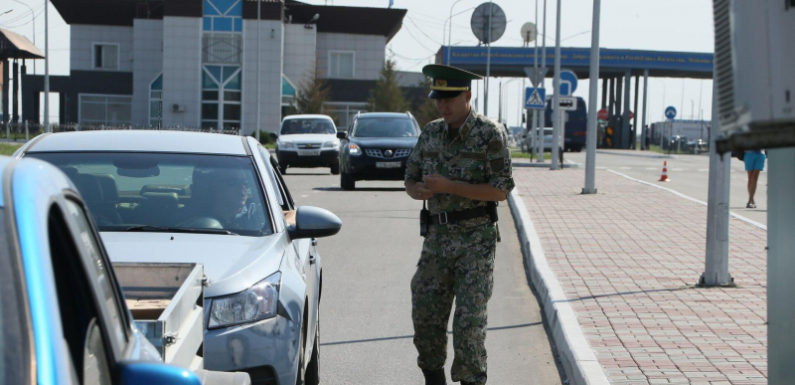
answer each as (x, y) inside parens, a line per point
(593, 84)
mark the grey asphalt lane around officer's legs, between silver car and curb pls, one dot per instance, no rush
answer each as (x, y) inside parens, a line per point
(366, 332)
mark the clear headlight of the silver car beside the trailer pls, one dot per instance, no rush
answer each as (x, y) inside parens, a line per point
(255, 303)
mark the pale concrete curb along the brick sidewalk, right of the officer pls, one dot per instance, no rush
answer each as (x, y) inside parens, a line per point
(578, 359)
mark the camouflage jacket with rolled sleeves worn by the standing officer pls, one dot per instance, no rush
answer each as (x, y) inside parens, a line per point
(477, 154)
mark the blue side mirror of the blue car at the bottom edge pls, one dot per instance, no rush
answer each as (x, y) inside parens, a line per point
(147, 373)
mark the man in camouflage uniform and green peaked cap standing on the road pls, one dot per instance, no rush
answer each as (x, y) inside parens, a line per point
(462, 166)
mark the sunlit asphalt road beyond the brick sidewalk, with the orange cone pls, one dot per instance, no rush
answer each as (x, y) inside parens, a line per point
(687, 174)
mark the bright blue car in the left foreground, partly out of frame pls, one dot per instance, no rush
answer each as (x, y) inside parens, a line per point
(63, 319)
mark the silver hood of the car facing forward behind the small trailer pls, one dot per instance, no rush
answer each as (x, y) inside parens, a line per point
(232, 263)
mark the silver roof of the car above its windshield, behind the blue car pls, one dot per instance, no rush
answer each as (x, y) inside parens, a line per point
(140, 140)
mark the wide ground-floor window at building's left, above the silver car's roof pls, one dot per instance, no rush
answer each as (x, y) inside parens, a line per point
(109, 110)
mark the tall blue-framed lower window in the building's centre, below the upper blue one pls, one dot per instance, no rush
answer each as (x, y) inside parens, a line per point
(221, 87)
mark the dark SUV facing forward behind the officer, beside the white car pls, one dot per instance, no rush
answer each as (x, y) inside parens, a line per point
(376, 147)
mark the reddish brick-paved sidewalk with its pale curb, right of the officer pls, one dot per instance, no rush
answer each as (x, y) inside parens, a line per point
(616, 272)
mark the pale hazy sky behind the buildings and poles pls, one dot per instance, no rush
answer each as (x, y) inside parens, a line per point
(669, 25)
